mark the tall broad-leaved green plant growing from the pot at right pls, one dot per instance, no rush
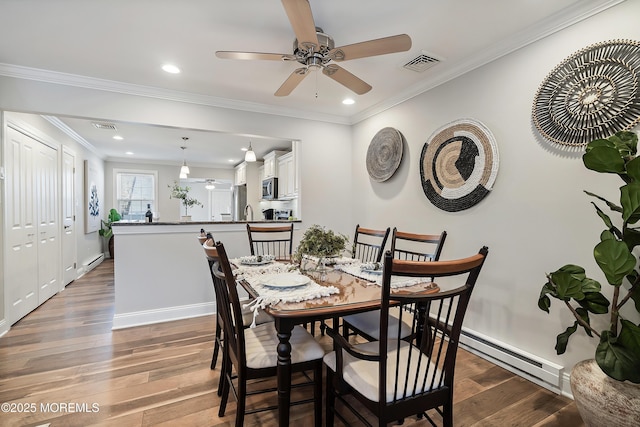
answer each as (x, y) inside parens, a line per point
(618, 350)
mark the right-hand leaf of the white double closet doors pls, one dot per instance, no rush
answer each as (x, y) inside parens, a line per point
(48, 222)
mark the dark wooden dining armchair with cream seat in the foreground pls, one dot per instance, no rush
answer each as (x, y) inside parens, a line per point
(397, 377)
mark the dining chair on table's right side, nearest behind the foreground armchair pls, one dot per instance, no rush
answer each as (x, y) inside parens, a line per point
(405, 246)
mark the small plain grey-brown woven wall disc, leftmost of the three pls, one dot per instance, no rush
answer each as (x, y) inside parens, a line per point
(384, 154)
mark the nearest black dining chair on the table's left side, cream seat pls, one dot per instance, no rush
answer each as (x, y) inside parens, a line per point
(252, 352)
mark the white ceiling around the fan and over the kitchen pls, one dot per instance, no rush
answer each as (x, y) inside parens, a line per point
(121, 45)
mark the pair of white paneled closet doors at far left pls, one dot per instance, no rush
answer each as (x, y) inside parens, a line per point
(32, 269)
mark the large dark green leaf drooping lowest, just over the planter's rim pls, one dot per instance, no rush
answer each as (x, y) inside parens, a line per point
(616, 360)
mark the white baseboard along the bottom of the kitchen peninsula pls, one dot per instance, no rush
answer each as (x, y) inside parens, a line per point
(147, 317)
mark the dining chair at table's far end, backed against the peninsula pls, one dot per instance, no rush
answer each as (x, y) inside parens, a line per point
(276, 241)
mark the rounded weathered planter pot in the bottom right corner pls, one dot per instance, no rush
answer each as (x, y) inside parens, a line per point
(603, 401)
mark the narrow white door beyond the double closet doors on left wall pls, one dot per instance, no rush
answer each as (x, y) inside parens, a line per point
(69, 248)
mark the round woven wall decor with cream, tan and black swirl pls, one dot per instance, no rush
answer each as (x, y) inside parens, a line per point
(458, 165)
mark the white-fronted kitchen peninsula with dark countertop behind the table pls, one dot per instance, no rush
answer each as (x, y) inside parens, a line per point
(161, 272)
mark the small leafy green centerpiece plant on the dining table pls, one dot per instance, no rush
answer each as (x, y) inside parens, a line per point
(320, 243)
